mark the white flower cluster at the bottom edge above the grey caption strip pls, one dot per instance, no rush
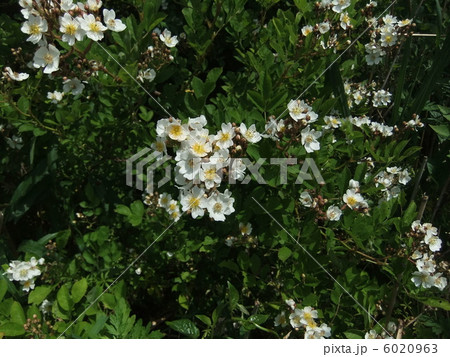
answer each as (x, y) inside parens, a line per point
(303, 318)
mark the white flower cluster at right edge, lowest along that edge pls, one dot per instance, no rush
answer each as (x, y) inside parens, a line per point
(426, 275)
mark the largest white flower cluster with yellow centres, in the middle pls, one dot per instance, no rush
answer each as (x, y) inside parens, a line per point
(202, 160)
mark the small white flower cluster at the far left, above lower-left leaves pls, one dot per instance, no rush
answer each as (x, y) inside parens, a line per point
(24, 272)
